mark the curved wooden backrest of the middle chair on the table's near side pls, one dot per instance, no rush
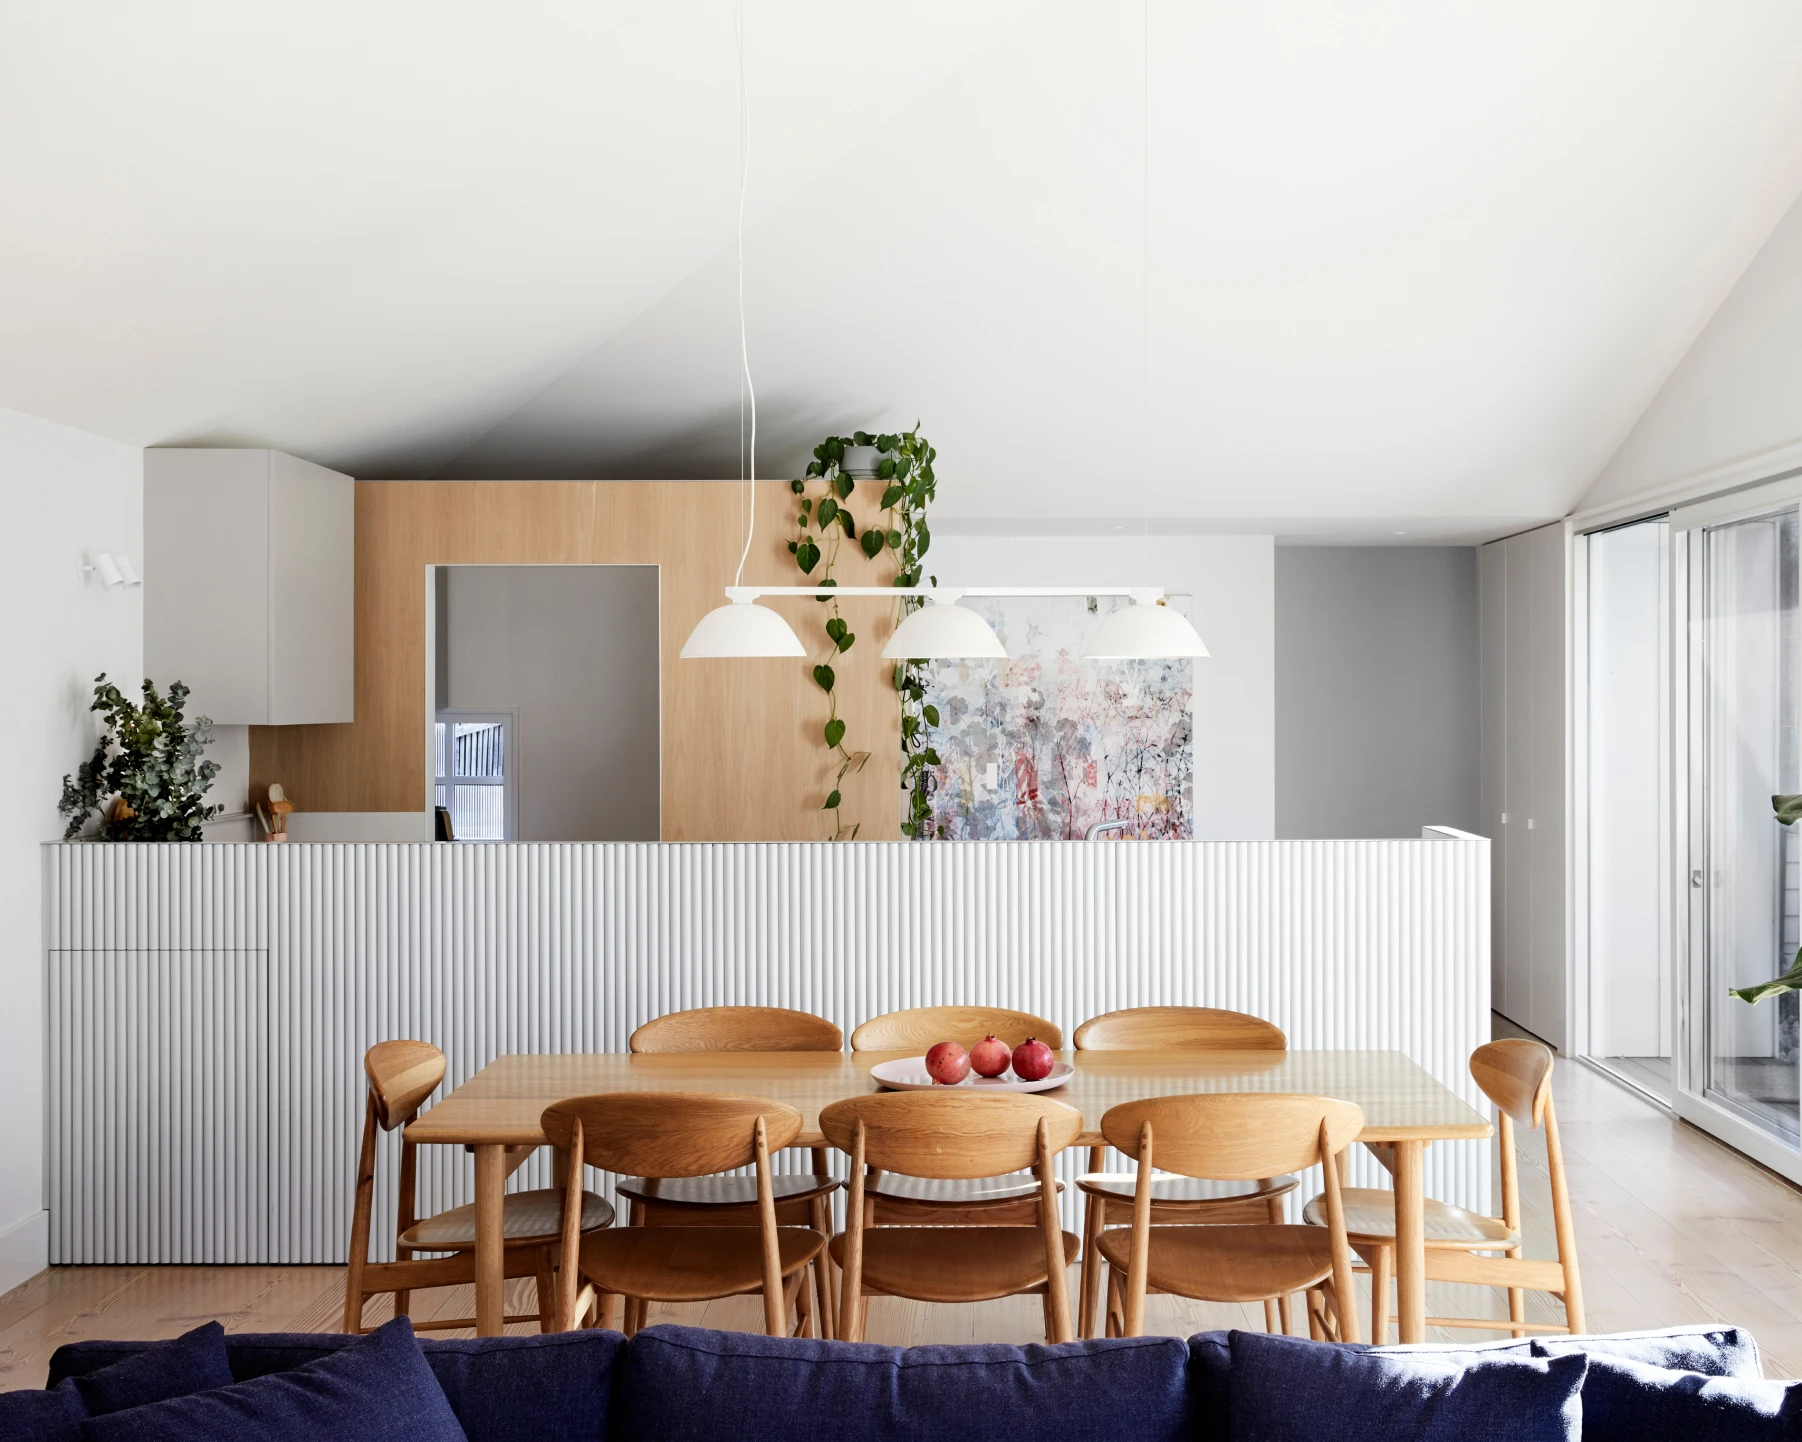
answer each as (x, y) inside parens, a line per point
(951, 1136)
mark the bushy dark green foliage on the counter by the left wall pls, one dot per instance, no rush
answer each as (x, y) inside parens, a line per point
(150, 760)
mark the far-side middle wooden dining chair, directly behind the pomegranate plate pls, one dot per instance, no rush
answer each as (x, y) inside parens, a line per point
(913, 1201)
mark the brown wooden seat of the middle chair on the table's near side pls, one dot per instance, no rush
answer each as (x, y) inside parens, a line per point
(954, 1264)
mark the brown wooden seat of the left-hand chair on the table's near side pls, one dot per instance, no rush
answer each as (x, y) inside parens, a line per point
(689, 1264)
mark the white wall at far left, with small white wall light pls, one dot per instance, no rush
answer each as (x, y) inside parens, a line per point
(68, 495)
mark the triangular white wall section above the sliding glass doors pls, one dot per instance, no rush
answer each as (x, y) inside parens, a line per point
(1738, 390)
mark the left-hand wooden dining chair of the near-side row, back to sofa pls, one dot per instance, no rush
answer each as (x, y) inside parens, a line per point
(680, 1135)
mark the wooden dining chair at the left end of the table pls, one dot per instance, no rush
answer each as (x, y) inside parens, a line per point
(401, 1077)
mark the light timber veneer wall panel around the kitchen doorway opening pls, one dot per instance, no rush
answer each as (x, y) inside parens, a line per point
(742, 758)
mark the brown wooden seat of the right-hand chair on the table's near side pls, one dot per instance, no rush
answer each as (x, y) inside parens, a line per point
(1228, 1263)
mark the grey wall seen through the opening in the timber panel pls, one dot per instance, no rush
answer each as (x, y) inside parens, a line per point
(574, 650)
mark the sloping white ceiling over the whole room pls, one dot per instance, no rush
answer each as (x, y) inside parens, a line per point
(1414, 268)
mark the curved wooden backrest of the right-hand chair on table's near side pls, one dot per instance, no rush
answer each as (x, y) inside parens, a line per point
(1235, 1136)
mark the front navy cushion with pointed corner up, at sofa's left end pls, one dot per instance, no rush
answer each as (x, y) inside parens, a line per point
(376, 1391)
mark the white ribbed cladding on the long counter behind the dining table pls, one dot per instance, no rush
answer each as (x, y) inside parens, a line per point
(210, 1005)
